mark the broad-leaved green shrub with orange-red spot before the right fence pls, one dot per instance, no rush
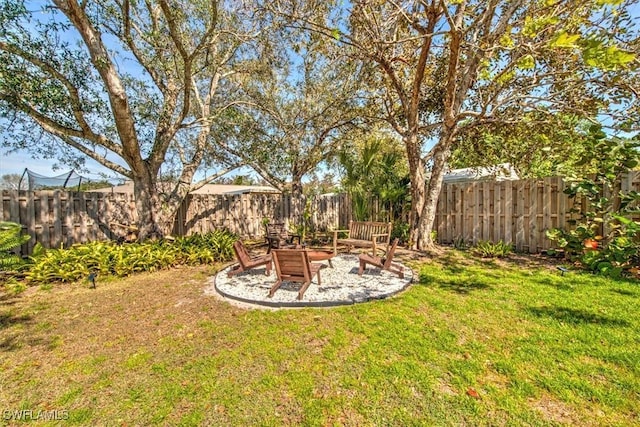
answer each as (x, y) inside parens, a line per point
(608, 215)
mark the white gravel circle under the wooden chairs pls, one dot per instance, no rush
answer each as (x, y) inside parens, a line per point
(341, 285)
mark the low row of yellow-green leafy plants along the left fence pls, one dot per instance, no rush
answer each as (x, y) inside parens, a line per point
(109, 258)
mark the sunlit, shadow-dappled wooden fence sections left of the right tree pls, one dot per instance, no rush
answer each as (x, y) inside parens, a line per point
(59, 219)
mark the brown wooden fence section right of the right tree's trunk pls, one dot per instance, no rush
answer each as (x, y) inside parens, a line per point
(516, 212)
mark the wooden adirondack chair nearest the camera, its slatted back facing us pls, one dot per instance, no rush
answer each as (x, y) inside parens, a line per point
(294, 265)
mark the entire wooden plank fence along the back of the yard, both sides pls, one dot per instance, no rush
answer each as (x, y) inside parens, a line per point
(517, 212)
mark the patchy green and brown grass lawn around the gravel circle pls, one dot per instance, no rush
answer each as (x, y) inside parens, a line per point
(475, 342)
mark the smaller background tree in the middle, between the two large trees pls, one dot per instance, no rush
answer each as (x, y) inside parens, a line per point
(298, 112)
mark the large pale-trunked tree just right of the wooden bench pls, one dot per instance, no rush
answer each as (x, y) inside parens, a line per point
(445, 66)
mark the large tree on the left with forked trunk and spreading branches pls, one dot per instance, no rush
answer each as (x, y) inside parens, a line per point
(136, 86)
